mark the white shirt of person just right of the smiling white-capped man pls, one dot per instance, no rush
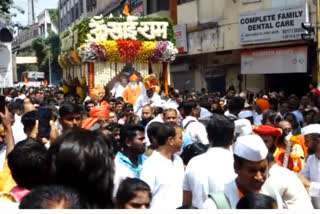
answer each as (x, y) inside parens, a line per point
(290, 188)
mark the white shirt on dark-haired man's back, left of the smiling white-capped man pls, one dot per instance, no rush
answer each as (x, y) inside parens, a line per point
(208, 173)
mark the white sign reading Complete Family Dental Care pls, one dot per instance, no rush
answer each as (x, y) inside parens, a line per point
(272, 25)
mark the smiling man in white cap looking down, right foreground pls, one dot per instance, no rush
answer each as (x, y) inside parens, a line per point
(251, 165)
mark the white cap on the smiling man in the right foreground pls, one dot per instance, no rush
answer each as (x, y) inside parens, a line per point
(251, 147)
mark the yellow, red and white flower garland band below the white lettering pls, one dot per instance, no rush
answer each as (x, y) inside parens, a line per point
(121, 51)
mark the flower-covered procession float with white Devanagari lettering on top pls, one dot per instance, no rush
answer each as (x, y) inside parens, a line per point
(96, 50)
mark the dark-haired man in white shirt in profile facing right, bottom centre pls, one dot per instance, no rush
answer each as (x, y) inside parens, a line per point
(163, 171)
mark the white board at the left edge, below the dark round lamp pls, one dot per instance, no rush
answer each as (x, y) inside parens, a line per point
(6, 77)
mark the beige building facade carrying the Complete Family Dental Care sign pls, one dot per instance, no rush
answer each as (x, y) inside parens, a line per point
(228, 43)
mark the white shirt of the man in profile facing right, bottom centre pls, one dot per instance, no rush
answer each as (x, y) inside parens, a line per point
(165, 178)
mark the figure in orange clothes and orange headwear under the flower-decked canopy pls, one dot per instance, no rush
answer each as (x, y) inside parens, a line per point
(133, 90)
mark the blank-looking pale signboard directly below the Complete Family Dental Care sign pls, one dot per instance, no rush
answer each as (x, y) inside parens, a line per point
(274, 60)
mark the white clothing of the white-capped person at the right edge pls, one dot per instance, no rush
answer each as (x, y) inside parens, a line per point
(311, 171)
